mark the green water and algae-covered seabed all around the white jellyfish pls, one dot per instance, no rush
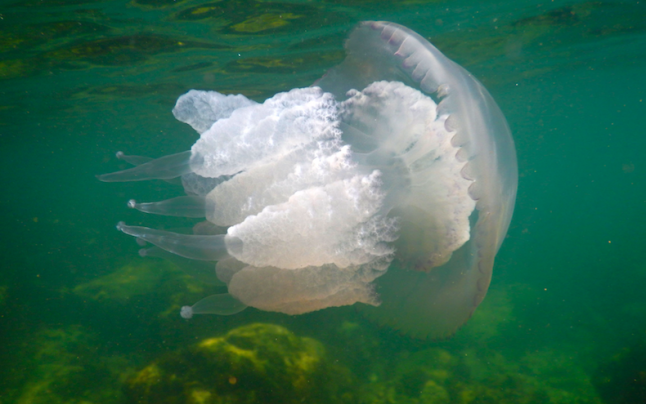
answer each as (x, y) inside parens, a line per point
(84, 319)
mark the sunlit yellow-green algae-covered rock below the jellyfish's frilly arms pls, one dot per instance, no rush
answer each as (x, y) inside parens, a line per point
(257, 363)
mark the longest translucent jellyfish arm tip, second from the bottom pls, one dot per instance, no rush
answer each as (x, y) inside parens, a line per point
(203, 248)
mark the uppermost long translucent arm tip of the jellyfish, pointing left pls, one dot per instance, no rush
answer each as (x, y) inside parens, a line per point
(163, 168)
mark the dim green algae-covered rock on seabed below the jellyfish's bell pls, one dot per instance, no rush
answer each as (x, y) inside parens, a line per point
(437, 376)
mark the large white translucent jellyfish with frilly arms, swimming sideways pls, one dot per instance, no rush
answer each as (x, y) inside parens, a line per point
(389, 183)
